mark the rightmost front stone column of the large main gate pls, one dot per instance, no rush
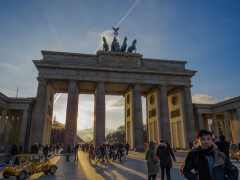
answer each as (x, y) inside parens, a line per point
(190, 125)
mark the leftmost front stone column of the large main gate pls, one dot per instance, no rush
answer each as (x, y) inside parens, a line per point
(40, 113)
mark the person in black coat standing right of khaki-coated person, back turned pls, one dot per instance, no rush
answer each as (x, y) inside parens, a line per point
(165, 159)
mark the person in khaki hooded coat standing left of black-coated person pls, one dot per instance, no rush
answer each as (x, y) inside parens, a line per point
(152, 161)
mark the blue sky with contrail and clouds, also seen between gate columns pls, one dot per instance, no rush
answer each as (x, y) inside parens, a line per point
(204, 33)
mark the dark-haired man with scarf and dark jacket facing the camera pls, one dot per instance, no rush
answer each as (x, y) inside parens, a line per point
(207, 161)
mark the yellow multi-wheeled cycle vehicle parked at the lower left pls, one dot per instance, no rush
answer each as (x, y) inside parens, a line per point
(29, 164)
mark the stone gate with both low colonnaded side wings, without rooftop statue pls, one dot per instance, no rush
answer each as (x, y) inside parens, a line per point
(166, 84)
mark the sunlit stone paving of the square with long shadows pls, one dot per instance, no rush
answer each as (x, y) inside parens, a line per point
(133, 167)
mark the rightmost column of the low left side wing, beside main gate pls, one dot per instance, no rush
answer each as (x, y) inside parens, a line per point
(23, 129)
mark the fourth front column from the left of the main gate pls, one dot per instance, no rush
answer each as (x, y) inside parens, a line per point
(137, 117)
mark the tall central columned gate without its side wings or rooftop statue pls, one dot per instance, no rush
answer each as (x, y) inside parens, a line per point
(166, 84)
